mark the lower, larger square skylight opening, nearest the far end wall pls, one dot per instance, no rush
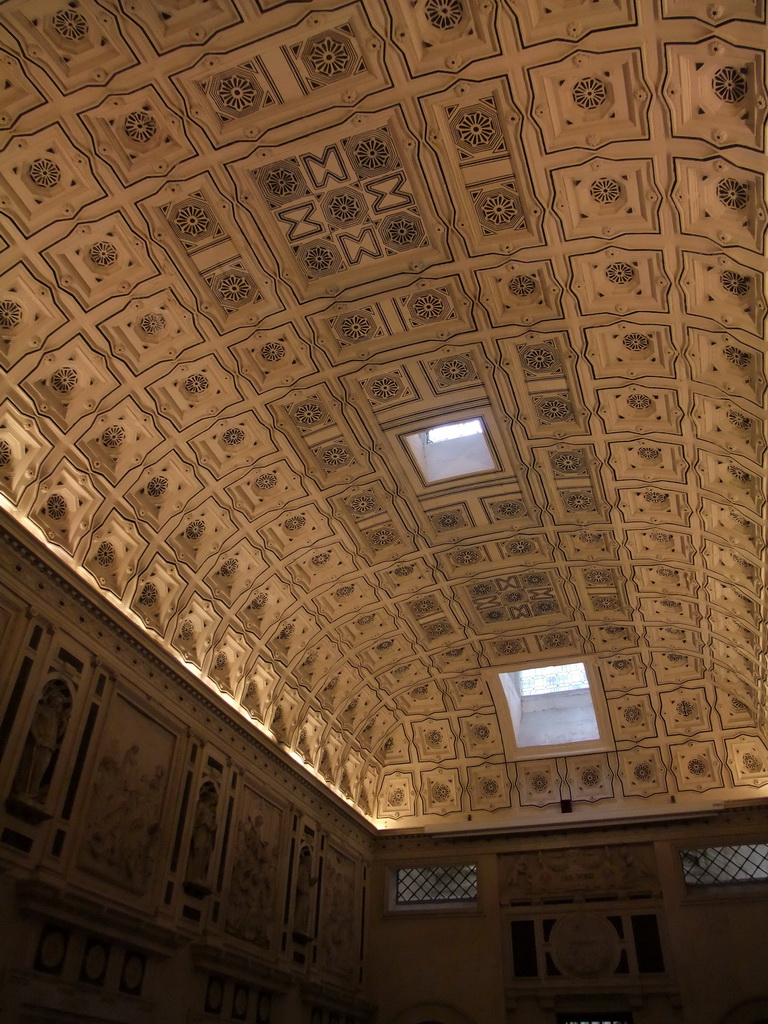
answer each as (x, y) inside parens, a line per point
(551, 706)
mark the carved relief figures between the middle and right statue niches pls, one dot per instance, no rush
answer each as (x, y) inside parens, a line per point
(251, 891)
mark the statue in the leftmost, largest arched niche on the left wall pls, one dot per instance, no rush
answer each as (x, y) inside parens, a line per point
(40, 753)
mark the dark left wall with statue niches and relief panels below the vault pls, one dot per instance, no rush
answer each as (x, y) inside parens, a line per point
(159, 862)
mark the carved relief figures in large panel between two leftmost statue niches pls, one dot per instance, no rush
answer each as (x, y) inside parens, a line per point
(124, 825)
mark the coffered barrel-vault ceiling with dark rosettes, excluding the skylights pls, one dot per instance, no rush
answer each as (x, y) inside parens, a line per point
(248, 247)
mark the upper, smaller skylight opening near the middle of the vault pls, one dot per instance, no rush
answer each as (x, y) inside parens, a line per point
(451, 450)
